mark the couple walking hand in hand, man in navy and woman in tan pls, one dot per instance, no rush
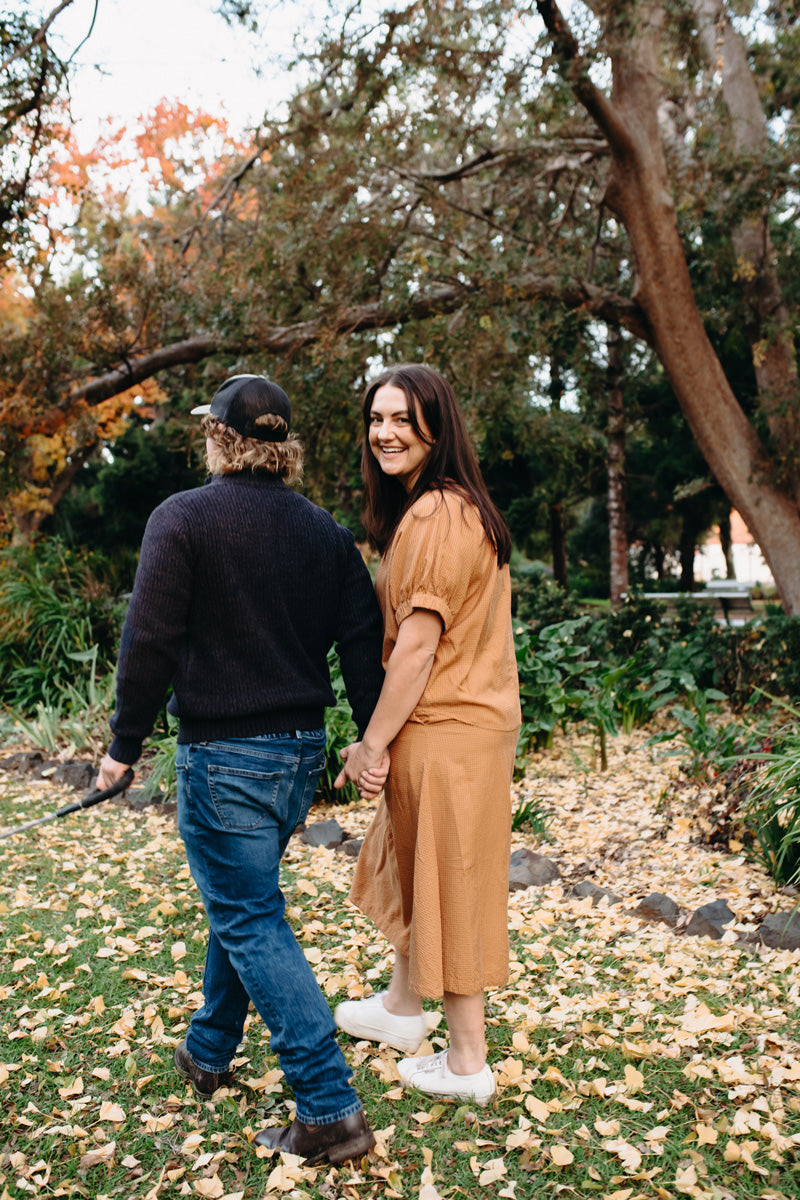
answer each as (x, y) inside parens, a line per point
(243, 589)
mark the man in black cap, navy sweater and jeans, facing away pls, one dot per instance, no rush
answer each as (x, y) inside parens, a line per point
(242, 590)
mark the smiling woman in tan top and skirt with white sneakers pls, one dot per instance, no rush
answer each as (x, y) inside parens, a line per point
(434, 871)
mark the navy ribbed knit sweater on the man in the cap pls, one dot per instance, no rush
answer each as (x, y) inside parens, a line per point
(242, 590)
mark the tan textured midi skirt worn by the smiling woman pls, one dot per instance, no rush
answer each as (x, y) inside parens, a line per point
(434, 871)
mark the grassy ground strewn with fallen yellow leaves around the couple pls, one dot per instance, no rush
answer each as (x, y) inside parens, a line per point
(631, 1061)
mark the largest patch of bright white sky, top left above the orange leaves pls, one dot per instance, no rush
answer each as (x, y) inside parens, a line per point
(143, 51)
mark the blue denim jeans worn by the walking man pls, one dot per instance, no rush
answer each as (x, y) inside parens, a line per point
(239, 802)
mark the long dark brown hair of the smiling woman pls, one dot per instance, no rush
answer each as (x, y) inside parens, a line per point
(452, 465)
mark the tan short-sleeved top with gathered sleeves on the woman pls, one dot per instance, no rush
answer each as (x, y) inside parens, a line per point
(441, 560)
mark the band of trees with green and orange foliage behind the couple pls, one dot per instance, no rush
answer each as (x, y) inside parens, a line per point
(586, 217)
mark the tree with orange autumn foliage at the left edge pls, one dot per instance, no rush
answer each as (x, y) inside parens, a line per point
(105, 281)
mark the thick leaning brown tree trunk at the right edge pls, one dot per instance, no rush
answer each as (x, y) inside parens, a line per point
(639, 193)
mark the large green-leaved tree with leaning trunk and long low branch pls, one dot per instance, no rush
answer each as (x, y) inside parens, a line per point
(437, 164)
